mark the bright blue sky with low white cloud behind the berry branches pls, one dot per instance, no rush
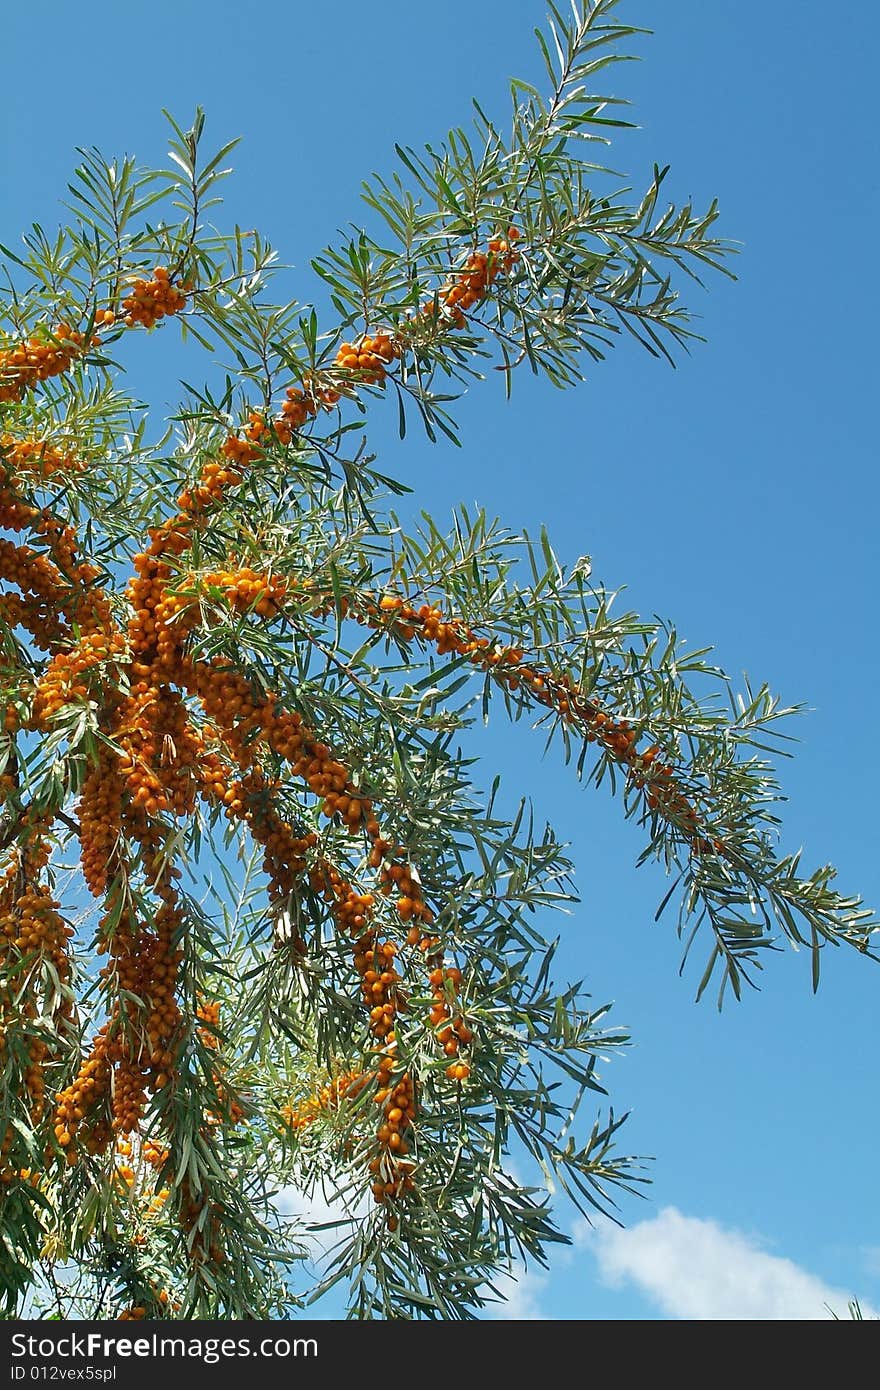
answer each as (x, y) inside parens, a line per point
(735, 496)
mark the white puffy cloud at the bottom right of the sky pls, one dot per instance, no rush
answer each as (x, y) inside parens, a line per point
(699, 1271)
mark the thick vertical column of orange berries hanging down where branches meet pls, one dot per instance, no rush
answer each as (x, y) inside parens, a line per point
(156, 771)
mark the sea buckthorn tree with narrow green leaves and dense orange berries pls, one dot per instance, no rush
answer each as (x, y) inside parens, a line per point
(259, 929)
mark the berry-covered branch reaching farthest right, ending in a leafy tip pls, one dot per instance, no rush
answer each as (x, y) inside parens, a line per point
(729, 853)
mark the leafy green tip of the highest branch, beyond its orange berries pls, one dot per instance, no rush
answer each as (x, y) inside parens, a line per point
(594, 266)
